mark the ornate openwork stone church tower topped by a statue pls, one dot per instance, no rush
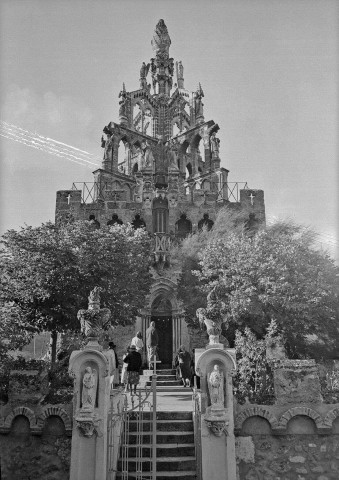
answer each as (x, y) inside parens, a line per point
(160, 169)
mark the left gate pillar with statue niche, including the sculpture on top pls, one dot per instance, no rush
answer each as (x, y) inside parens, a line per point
(92, 370)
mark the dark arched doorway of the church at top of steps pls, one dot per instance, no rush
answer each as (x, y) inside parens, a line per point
(161, 314)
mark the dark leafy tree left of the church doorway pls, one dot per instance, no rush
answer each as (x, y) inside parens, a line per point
(48, 272)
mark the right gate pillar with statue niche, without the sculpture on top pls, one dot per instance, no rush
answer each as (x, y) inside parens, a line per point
(215, 367)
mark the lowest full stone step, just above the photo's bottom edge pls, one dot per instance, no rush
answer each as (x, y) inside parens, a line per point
(169, 464)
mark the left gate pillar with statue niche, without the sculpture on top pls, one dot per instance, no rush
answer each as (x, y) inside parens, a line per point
(90, 369)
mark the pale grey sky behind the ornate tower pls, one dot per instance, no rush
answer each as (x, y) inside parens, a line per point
(269, 71)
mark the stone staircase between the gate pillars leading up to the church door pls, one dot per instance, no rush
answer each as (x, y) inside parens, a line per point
(174, 441)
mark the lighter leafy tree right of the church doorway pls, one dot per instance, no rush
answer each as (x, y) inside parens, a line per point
(276, 274)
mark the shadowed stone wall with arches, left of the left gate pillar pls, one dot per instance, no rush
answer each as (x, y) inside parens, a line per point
(35, 442)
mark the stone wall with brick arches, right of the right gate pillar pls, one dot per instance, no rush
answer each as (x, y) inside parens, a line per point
(279, 443)
